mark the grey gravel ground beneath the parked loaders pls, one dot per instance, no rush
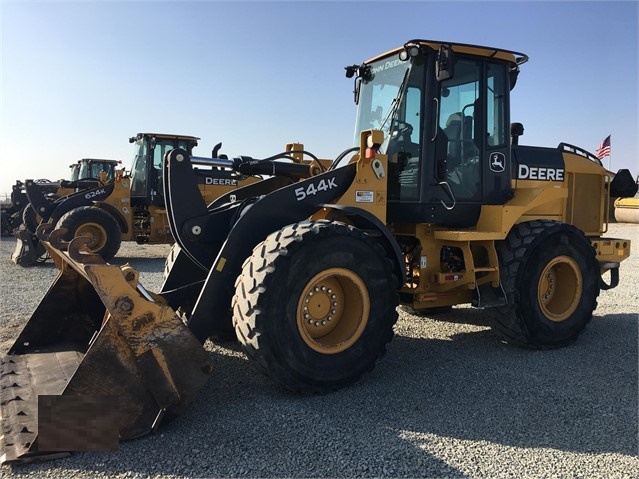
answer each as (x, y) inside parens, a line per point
(448, 400)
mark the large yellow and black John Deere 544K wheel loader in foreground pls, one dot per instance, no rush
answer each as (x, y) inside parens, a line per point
(436, 205)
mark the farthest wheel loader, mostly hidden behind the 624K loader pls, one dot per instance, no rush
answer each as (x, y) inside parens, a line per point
(84, 174)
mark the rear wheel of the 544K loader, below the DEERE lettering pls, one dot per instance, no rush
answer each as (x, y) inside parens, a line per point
(551, 279)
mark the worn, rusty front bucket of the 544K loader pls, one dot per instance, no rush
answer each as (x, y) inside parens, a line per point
(100, 360)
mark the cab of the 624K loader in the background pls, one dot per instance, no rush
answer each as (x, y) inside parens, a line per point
(146, 170)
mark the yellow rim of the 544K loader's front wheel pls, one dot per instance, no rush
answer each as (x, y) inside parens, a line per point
(333, 310)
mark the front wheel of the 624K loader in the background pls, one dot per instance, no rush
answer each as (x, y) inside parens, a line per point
(102, 229)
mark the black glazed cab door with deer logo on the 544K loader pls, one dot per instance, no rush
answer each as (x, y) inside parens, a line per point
(471, 143)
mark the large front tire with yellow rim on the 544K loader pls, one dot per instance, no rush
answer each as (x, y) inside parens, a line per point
(315, 305)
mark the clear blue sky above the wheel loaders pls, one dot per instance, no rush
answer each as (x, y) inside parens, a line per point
(79, 78)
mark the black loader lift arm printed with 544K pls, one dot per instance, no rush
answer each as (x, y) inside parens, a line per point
(268, 214)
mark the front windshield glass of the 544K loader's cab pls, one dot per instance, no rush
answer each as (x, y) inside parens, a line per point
(382, 107)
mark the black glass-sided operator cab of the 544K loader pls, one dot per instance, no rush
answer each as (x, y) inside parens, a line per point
(444, 111)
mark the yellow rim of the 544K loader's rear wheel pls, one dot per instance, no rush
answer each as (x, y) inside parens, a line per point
(560, 288)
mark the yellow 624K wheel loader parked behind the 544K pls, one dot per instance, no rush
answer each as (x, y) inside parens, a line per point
(123, 208)
